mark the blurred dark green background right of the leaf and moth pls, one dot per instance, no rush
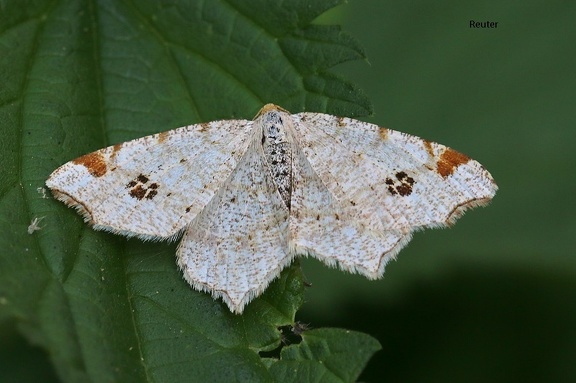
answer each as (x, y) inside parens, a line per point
(494, 298)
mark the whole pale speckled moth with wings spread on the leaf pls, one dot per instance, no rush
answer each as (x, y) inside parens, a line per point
(249, 196)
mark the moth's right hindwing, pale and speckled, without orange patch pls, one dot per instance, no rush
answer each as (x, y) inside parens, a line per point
(335, 231)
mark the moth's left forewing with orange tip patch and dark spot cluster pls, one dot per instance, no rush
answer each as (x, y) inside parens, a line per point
(153, 186)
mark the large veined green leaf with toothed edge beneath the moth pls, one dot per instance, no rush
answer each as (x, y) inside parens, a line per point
(76, 76)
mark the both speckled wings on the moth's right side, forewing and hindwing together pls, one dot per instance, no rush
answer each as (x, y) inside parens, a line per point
(373, 187)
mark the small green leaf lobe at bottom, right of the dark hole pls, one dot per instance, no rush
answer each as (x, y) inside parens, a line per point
(325, 355)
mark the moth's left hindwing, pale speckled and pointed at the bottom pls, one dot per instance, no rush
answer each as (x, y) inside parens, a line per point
(240, 242)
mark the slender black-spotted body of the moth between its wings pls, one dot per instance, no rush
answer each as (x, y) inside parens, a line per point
(278, 153)
